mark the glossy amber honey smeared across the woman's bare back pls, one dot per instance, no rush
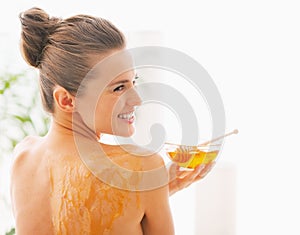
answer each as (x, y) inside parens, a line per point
(81, 203)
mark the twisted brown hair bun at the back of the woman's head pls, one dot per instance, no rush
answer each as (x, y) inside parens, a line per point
(36, 28)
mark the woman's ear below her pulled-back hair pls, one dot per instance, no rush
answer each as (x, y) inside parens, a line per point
(63, 99)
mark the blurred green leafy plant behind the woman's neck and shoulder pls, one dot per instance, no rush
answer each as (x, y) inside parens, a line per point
(21, 114)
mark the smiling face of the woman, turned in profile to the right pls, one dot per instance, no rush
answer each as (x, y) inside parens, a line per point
(110, 98)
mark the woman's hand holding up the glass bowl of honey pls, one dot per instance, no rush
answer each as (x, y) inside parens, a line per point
(180, 179)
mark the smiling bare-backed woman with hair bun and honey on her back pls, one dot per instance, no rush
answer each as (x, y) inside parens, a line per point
(53, 190)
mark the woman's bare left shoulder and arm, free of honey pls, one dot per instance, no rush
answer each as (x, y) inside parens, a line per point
(29, 188)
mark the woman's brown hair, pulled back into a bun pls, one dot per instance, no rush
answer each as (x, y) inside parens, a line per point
(60, 49)
